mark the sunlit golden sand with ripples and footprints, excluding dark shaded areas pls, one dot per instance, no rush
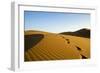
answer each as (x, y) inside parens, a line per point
(57, 47)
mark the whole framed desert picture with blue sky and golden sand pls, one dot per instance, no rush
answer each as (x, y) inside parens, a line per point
(56, 36)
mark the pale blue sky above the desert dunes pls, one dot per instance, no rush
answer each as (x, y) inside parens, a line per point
(55, 22)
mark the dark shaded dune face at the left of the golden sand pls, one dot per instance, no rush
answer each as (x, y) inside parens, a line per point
(32, 40)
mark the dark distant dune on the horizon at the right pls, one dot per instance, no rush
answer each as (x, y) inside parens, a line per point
(81, 33)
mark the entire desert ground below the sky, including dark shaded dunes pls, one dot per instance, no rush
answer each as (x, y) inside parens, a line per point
(43, 46)
